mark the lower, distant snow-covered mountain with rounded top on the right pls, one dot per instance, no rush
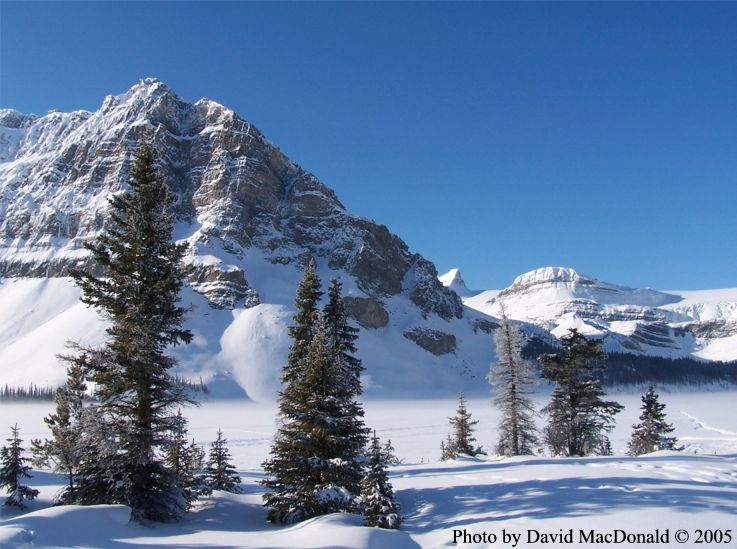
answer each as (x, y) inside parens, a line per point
(675, 324)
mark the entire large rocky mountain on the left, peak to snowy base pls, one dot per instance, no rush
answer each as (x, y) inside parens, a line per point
(251, 217)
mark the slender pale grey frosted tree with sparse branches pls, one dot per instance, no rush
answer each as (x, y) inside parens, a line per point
(512, 376)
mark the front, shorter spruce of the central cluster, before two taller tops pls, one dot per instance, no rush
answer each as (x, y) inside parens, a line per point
(308, 471)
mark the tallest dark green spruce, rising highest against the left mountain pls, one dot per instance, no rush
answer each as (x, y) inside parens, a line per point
(137, 292)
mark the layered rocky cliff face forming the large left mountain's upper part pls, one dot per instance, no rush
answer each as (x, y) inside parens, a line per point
(236, 191)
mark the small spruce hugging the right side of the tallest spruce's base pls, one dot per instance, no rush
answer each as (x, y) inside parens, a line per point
(186, 461)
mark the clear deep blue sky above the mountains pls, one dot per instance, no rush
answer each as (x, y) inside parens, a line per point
(493, 137)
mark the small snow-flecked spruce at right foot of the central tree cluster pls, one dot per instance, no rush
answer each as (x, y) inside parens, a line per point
(379, 506)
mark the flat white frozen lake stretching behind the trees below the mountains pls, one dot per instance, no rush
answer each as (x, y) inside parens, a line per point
(706, 422)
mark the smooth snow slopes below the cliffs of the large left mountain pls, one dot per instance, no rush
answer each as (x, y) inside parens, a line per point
(241, 351)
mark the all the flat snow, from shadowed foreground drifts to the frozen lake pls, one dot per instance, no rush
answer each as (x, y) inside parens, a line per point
(483, 500)
